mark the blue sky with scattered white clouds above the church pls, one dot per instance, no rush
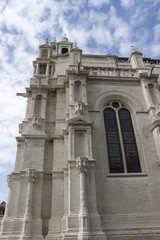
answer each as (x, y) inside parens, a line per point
(98, 26)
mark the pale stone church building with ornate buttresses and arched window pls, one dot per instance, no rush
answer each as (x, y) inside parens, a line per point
(88, 154)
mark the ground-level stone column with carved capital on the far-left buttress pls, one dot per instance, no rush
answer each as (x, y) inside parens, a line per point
(31, 175)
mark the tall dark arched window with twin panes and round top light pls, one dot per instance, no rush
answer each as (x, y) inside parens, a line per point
(121, 142)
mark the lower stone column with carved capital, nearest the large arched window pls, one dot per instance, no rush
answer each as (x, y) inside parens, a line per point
(82, 164)
